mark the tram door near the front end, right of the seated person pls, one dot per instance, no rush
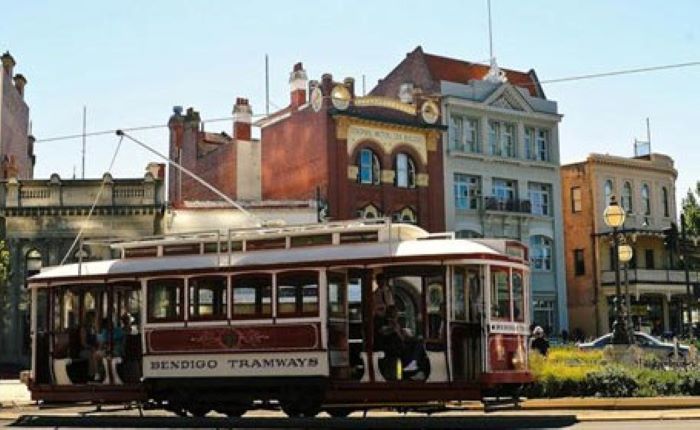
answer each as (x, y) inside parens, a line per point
(465, 328)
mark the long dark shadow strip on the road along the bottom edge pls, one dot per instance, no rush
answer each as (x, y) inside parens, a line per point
(366, 423)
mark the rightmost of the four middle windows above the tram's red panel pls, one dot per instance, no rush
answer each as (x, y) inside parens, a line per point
(297, 294)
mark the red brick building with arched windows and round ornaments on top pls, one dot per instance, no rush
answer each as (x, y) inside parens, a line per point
(360, 156)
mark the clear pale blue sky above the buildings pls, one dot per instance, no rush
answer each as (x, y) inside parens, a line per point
(131, 61)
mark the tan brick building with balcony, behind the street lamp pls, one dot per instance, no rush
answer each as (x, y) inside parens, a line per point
(645, 187)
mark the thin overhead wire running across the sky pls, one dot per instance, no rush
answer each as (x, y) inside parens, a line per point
(541, 82)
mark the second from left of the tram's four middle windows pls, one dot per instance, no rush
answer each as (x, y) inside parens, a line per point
(207, 298)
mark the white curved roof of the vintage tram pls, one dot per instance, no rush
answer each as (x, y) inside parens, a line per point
(404, 247)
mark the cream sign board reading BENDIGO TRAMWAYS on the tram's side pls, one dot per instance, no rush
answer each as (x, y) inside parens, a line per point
(236, 365)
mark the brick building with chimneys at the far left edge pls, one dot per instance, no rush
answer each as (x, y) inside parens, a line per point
(16, 145)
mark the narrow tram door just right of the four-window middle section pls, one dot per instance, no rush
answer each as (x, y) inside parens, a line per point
(338, 325)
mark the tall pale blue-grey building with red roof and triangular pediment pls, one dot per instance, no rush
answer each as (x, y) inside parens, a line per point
(501, 161)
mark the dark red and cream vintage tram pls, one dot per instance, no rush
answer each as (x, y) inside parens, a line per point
(206, 321)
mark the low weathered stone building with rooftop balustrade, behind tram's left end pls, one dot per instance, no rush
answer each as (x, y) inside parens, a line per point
(40, 221)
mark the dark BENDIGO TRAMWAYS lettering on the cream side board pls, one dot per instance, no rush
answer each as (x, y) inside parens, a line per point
(243, 363)
